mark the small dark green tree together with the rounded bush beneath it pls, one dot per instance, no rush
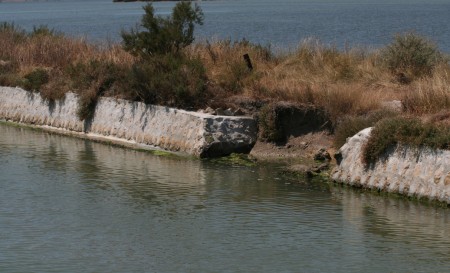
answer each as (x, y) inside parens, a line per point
(164, 75)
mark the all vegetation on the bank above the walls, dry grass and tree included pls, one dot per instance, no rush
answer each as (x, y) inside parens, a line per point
(159, 63)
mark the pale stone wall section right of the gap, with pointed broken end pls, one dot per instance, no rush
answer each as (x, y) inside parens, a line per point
(422, 173)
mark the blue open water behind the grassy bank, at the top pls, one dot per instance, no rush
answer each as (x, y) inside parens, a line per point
(280, 23)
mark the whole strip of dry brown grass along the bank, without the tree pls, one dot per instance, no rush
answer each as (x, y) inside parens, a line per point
(350, 82)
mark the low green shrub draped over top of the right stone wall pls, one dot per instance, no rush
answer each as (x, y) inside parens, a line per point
(412, 132)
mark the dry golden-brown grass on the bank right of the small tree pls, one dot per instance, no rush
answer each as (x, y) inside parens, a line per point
(344, 82)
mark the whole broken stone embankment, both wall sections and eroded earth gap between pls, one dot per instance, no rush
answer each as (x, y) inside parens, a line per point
(423, 173)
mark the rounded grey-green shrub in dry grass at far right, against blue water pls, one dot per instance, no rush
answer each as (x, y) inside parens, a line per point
(411, 56)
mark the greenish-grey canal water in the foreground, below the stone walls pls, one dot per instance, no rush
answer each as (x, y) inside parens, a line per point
(72, 205)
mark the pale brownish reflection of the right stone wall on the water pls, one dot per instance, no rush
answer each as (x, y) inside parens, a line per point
(396, 217)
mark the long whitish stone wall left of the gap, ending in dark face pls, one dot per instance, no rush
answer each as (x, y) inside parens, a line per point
(134, 123)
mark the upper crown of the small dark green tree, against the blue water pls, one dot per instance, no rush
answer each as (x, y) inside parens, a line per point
(163, 35)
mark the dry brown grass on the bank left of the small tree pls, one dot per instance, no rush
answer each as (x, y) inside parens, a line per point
(23, 53)
